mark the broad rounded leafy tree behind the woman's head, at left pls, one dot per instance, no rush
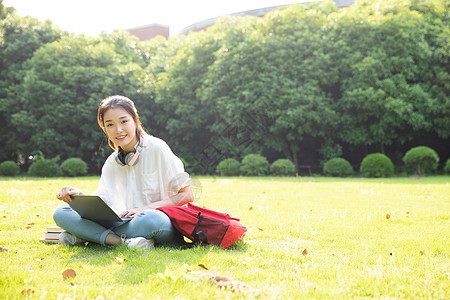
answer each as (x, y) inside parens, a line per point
(60, 92)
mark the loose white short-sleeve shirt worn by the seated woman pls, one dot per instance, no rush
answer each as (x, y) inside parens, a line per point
(157, 175)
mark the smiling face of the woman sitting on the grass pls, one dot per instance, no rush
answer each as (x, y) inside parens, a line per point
(120, 128)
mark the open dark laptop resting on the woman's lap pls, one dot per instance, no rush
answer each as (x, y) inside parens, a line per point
(95, 209)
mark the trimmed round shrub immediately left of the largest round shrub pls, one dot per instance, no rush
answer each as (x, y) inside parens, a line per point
(377, 165)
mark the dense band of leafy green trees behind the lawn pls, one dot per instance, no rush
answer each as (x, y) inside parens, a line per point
(306, 82)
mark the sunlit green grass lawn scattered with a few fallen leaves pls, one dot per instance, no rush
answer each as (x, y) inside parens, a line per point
(353, 249)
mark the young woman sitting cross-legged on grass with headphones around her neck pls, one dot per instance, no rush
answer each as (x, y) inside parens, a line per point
(139, 176)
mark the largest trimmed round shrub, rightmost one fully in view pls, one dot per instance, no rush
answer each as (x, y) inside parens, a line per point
(422, 159)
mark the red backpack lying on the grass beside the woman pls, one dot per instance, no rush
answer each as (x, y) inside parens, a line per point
(204, 226)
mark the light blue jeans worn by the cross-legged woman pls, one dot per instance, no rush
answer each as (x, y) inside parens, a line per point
(150, 224)
